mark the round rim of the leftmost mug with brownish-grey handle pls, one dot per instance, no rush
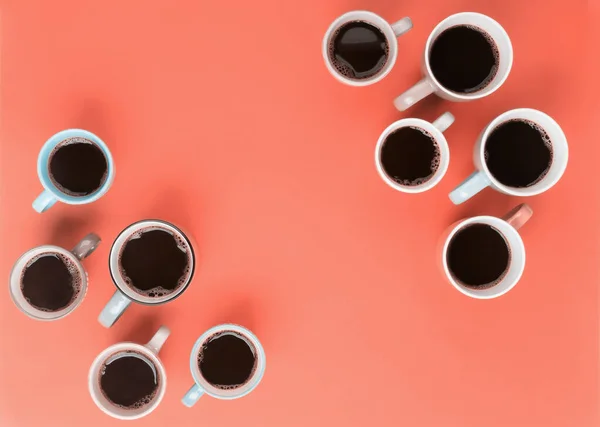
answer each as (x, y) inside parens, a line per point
(30, 310)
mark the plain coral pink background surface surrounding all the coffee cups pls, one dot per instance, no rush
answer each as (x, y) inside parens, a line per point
(222, 118)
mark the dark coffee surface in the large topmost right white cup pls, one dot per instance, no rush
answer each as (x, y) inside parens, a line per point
(463, 59)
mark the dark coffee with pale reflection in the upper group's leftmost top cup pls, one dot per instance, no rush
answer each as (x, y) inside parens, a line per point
(360, 50)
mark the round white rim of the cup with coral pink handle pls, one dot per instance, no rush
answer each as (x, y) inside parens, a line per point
(495, 222)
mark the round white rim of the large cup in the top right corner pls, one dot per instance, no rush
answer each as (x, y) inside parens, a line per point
(475, 95)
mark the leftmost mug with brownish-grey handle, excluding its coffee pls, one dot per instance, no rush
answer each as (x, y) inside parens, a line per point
(72, 259)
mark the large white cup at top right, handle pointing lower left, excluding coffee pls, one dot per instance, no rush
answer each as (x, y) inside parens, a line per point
(429, 84)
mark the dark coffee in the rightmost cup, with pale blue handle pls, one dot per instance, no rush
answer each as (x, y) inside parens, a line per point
(518, 153)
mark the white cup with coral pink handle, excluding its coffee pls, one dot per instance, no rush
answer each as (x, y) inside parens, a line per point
(507, 227)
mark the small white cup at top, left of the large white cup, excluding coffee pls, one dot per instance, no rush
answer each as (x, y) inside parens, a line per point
(390, 31)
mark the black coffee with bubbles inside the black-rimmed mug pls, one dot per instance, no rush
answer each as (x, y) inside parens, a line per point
(155, 262)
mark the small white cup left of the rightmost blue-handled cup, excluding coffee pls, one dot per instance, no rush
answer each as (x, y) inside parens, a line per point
(434, 129)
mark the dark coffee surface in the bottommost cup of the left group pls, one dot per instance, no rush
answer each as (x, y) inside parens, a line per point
(129, 382)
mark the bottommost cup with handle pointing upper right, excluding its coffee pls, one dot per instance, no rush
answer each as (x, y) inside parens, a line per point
(149, 354)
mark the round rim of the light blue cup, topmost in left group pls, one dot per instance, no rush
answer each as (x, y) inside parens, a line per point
(56, 139)
